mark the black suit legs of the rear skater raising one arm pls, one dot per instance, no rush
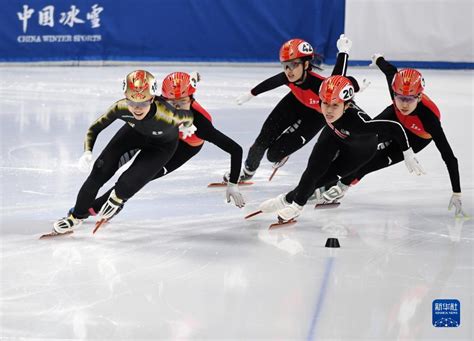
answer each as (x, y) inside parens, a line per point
(289, 127)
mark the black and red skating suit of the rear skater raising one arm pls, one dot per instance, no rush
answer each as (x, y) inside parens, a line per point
(295, 120)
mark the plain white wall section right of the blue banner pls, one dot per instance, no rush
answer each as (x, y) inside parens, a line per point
(411, 30)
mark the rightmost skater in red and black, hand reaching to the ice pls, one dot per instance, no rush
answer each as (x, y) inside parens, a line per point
(420, 117)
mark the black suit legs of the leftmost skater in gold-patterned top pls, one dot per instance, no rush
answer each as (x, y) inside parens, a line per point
(154, 154)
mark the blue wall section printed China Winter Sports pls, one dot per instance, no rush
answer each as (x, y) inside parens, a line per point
(167, 30)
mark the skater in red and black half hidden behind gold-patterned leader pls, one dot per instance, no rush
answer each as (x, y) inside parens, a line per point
(178, 89)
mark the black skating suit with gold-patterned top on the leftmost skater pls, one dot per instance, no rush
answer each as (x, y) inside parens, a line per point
(156, 136)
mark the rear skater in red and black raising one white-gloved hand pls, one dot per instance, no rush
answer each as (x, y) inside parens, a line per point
(297, 117)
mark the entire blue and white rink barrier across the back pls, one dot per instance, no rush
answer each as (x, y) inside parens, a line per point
(107, 32)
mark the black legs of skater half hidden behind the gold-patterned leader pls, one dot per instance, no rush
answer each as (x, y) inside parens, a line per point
(183, 153)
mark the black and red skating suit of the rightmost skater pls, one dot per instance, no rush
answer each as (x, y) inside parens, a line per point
(422, 126)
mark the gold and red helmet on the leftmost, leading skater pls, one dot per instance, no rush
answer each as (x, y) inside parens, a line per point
(139, 86)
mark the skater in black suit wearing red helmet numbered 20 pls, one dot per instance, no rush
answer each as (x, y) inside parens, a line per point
(348, 141)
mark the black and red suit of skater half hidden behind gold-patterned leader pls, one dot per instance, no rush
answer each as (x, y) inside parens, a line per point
(189, 147)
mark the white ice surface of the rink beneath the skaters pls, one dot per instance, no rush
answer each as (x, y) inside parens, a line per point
(180, 263)
